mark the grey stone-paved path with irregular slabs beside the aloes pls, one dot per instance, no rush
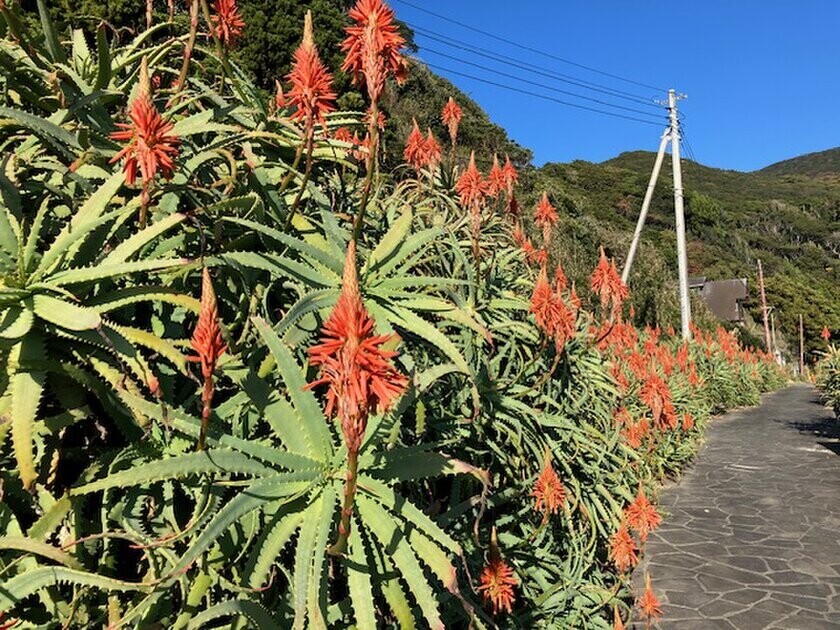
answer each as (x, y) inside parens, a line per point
(751, 534)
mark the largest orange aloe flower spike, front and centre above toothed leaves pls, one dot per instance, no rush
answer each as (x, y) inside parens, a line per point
(357, 370)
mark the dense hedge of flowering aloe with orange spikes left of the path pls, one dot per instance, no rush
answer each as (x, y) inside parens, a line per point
(250, 381)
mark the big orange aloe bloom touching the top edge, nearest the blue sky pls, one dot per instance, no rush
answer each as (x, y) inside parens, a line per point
(372, 47)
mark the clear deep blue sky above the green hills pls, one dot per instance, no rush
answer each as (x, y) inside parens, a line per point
(760, 75)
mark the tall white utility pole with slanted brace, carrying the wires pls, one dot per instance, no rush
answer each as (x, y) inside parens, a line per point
(672, 135)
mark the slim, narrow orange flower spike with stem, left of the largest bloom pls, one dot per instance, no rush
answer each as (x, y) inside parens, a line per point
(208, 343)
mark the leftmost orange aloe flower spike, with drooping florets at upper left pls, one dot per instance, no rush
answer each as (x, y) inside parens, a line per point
(151, 144)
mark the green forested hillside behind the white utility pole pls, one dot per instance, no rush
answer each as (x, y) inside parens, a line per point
(792, 223)
